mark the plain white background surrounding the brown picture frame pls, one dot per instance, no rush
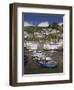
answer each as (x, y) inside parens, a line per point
(4, 46)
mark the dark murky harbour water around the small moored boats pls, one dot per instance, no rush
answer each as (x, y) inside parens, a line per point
(33, 68)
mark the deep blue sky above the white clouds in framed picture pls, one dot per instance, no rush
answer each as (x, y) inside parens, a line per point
(35, 19)
